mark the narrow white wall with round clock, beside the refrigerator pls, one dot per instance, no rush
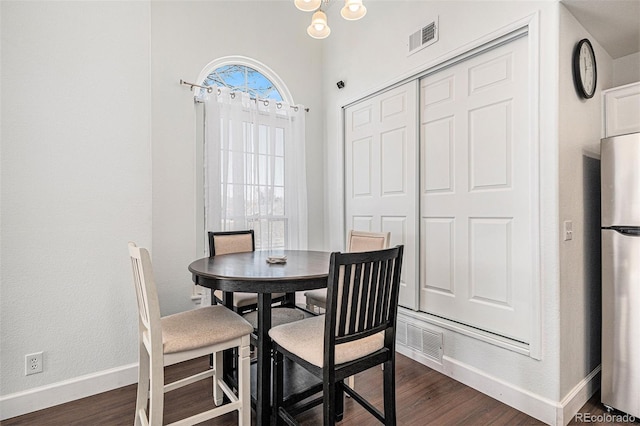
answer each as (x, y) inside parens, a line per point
(579, 201)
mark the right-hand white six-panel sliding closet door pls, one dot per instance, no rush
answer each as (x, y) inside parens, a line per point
(476, 238)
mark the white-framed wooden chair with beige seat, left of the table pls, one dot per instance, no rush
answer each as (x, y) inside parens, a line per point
(180, 337)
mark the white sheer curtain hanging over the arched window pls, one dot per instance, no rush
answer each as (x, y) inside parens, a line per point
(255, 169)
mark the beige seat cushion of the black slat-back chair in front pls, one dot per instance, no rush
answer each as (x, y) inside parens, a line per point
(305, 339)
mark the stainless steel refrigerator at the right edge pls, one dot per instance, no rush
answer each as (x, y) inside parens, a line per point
(620, 196)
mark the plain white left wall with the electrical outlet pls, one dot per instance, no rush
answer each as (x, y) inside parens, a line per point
(76, 185)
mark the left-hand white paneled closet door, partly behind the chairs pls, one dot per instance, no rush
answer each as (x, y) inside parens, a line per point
(381, 174)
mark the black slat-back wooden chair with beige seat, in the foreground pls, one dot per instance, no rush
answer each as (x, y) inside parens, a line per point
(357, 333)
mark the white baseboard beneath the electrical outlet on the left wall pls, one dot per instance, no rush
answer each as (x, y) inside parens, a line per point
(35, 399)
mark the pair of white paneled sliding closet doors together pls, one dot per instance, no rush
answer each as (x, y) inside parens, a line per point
(471, 175)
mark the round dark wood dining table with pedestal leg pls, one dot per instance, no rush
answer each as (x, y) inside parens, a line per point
(251, 272)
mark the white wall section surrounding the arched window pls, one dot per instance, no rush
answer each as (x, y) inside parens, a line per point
(185, 37)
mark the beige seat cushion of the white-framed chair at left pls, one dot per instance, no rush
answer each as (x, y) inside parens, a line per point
(201, 327)
